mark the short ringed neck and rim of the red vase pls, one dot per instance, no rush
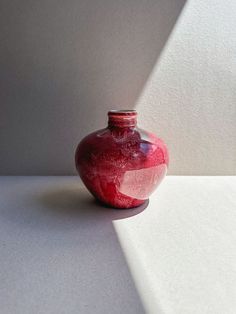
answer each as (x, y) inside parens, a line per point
(122, 118)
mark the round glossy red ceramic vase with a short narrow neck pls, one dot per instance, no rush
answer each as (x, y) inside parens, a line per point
(121, 165)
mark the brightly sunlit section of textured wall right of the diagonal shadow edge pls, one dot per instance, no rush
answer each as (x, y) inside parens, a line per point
(190, 97)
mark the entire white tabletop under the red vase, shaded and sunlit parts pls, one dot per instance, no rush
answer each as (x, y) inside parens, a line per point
(61, 252)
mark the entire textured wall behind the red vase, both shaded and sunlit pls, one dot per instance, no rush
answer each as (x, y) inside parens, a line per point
(64, 64)
